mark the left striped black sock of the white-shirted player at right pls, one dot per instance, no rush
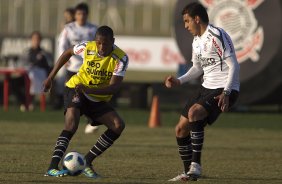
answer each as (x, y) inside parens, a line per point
(185, 151)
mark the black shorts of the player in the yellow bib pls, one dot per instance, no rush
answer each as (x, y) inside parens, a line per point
(92, 110)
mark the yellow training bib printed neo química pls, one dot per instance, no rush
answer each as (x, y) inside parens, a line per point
(96, 71)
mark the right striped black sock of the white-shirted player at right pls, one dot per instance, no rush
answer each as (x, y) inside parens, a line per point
(197, 138)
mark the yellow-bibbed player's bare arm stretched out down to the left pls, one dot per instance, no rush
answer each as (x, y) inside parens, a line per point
(61, 61)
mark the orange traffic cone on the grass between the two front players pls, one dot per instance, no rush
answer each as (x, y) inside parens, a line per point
(155, 120)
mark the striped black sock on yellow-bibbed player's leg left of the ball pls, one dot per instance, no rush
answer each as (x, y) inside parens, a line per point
(60, 148)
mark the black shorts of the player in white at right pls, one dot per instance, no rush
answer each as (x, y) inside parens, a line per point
(205, 97)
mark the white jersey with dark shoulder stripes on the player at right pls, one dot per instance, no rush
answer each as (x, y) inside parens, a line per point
(210, 51)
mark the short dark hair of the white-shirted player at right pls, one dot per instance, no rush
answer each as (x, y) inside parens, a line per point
(196, 9)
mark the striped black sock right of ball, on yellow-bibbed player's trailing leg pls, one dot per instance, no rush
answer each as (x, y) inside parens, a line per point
(103, 143)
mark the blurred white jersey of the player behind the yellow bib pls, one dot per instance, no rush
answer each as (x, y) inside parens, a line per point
(73, 34)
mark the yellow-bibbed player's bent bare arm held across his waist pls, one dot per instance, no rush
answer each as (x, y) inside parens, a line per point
(112, 88)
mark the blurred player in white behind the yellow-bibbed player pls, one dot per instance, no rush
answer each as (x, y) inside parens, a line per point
(73, 33)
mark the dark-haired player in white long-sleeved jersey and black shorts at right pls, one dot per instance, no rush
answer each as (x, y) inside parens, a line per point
(214, 58)
